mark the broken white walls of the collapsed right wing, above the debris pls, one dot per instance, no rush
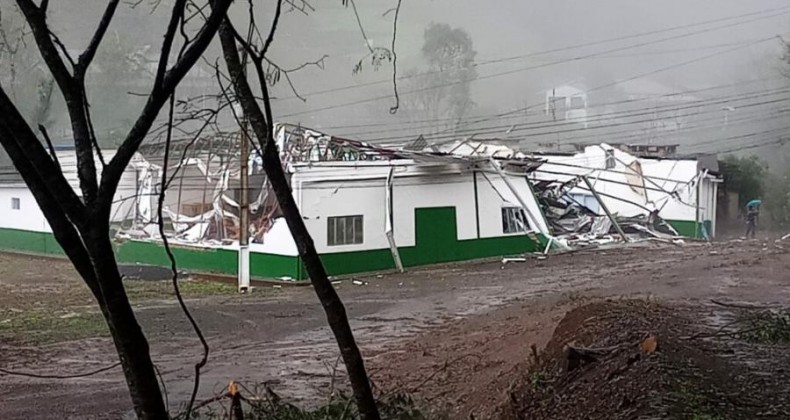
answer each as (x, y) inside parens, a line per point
(681, 191)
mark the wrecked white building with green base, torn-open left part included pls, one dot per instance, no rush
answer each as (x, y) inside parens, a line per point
(367, 208)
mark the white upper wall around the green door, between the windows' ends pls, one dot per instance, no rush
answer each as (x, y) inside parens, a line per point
(348, 190)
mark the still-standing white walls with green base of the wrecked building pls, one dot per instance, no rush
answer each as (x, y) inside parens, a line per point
(363, 216)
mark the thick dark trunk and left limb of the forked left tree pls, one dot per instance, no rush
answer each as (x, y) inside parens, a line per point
(90, 251)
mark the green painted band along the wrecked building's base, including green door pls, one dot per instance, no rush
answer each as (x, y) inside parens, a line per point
(436, 242)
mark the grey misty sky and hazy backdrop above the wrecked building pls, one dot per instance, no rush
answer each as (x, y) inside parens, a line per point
(513, 74)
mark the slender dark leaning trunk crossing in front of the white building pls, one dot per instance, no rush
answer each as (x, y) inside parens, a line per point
(333, 306)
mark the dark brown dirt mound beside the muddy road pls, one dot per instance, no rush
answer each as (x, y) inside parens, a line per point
(599, 366)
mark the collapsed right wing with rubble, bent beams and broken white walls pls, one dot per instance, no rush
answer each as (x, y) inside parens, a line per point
(644, 197)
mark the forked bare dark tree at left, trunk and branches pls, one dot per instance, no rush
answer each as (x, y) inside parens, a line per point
(81, 222)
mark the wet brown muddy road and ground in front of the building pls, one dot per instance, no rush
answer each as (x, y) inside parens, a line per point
(457, 336)
